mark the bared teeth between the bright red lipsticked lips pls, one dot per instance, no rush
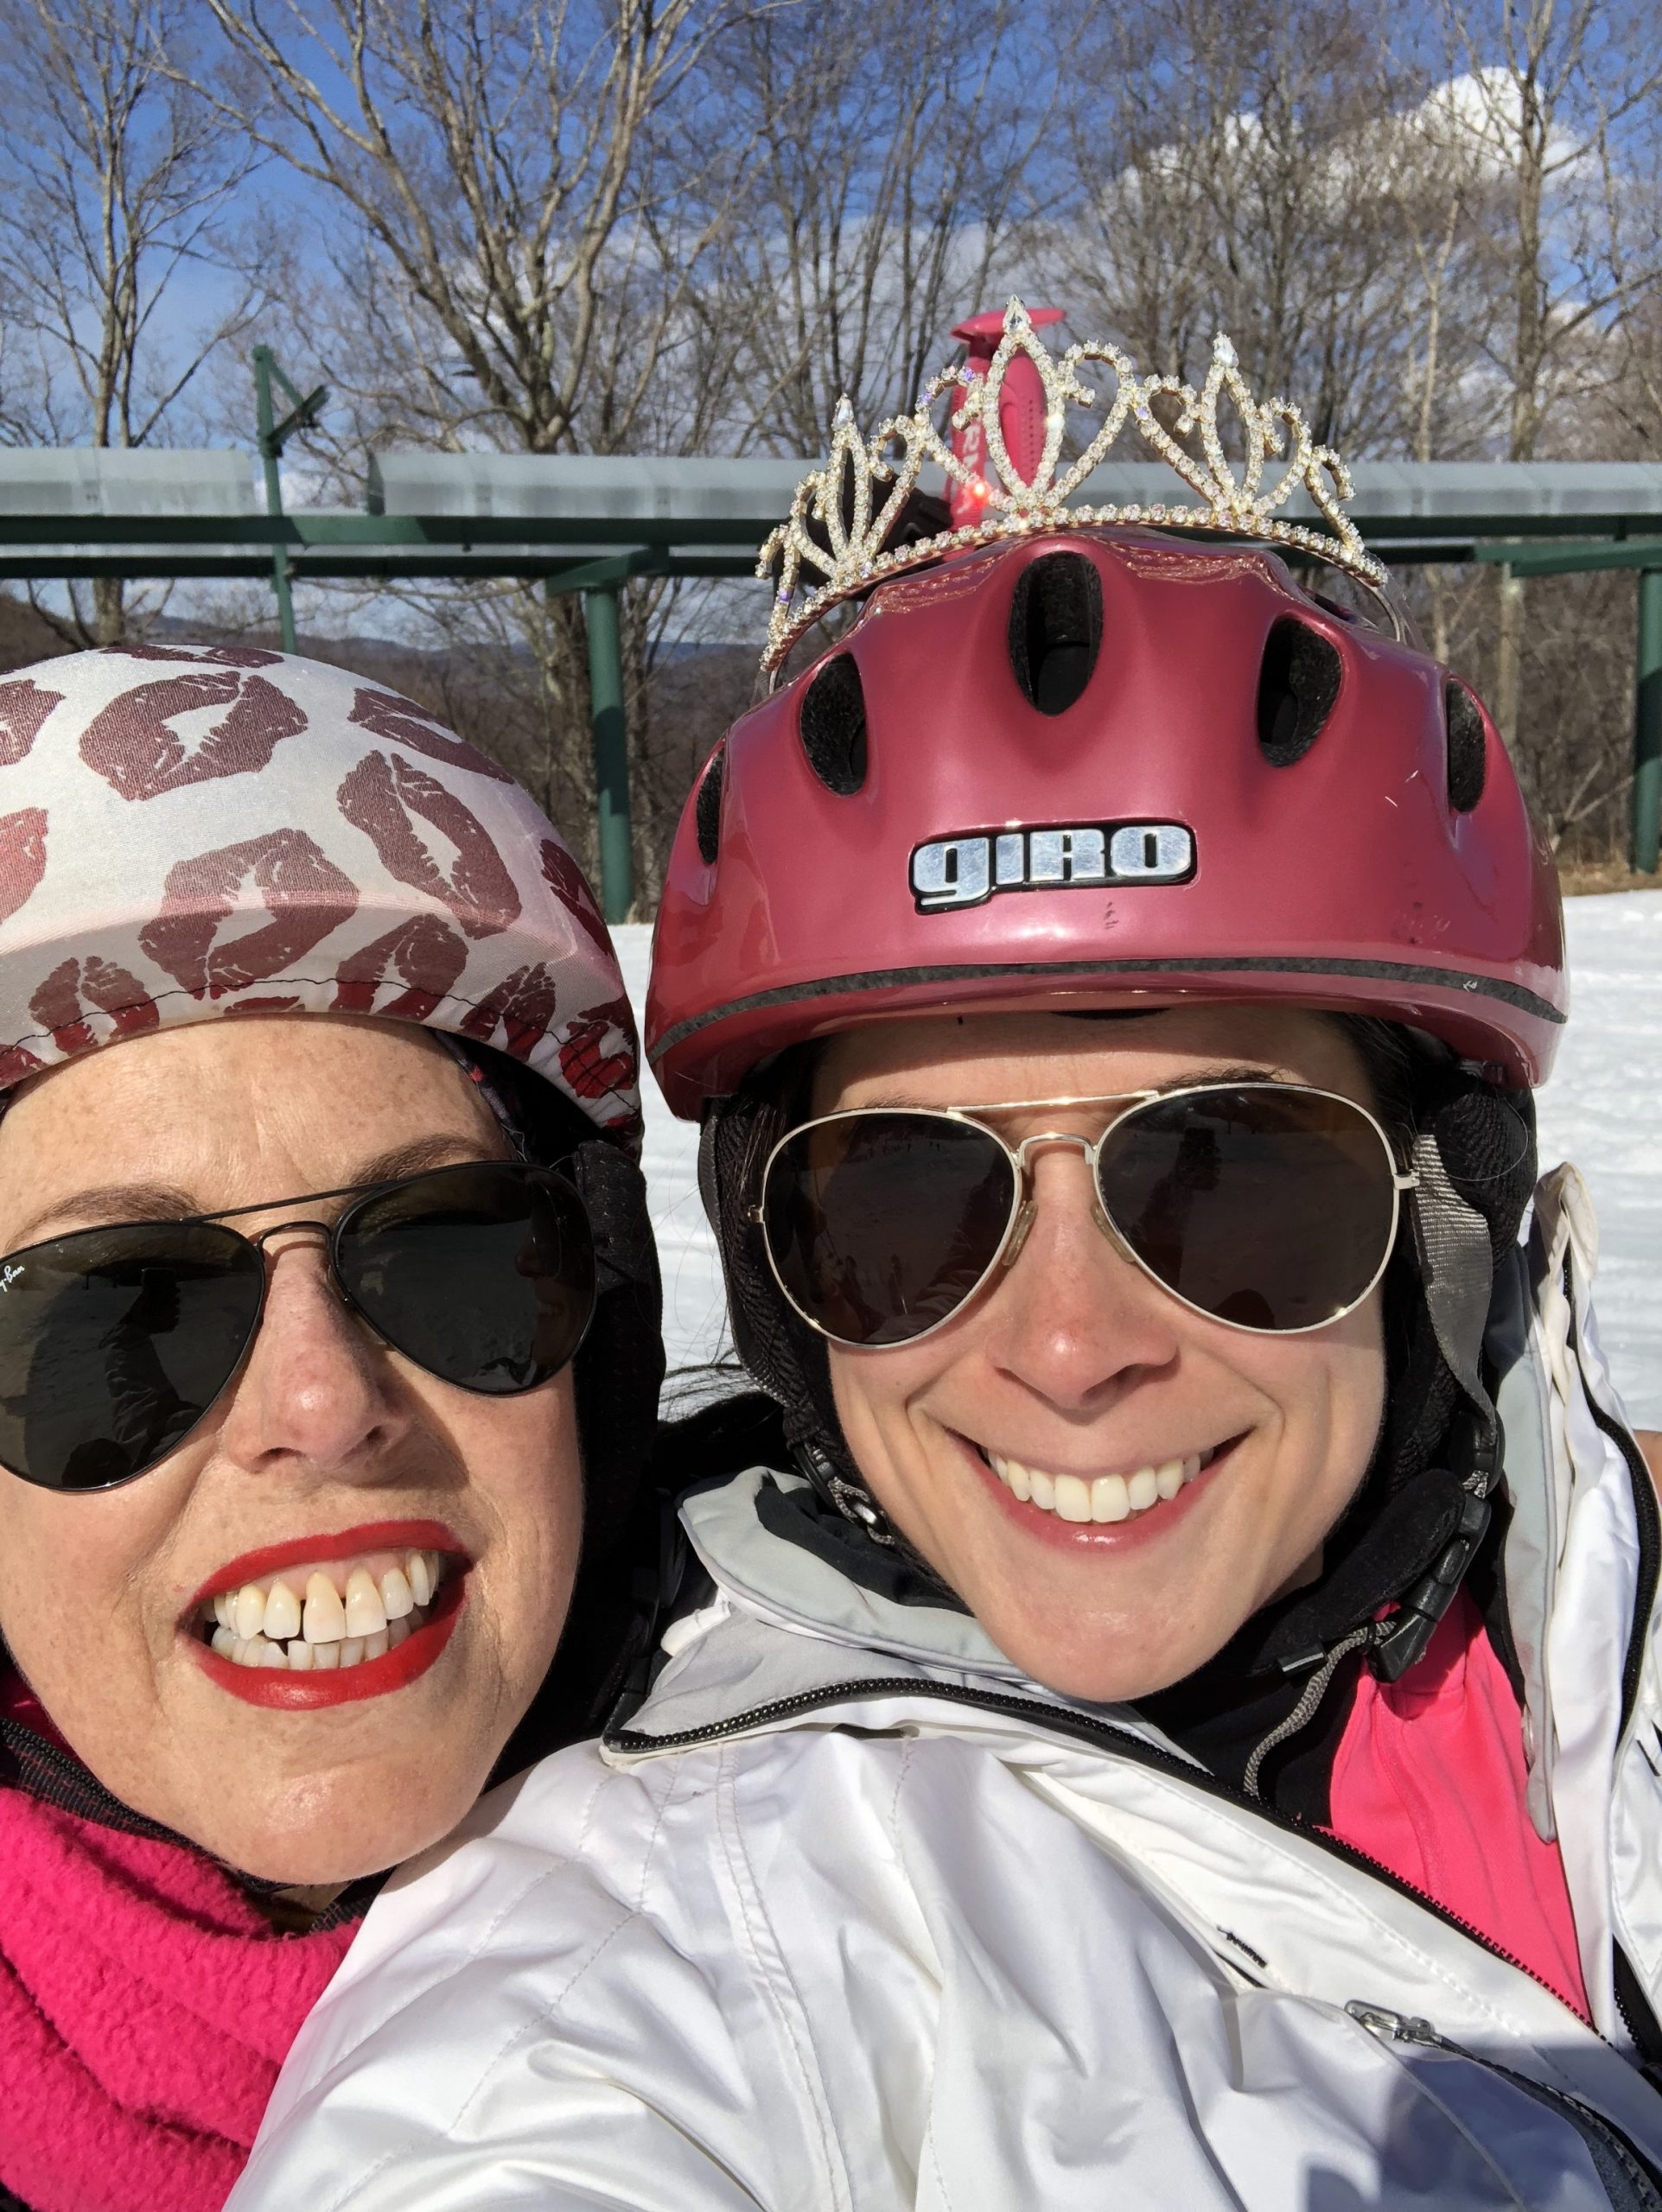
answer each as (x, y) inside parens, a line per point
(326, 1616)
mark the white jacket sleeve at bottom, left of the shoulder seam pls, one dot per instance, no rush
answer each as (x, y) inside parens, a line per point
(530, 2025)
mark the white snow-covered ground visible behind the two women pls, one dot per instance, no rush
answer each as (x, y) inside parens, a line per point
(1597, 1112)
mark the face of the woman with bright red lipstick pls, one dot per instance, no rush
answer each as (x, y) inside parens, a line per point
(324, 1434)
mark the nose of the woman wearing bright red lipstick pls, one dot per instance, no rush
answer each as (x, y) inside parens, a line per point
(318, 1392)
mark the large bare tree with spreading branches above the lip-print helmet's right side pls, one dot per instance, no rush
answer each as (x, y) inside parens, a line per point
(515, 262)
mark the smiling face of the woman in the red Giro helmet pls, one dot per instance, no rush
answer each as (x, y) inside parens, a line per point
(1077, 1364)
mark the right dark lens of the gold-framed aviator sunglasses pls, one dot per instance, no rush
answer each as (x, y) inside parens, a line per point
(1265, 1207)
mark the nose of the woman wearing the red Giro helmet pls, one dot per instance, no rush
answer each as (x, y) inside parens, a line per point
(1074, 1322)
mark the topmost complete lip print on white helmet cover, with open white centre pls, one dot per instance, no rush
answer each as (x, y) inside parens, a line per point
(138, 751)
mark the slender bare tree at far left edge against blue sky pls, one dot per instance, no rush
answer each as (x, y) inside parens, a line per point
(116, 273)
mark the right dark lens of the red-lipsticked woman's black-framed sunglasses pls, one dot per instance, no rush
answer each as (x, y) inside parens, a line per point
(481, 1275)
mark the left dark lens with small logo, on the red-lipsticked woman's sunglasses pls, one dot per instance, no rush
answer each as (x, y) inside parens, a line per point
(114, 1344)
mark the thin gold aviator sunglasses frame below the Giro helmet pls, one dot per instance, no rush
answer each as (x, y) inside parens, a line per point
(1026, 1202)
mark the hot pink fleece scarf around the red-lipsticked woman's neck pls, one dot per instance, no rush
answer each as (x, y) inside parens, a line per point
(145, 2010)
